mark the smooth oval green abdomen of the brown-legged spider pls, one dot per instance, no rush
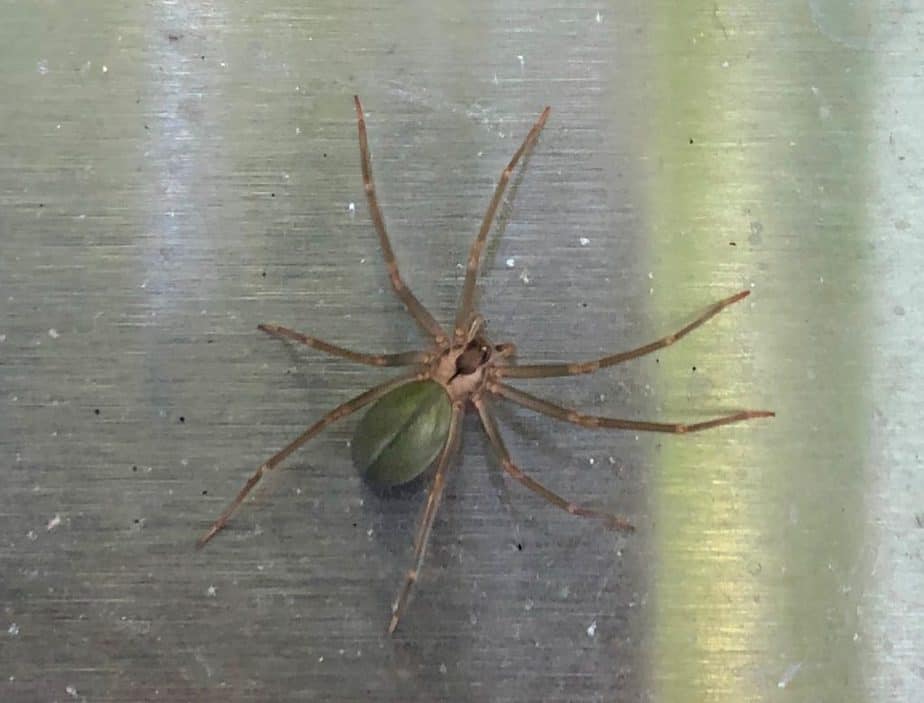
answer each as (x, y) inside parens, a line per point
(402, 433)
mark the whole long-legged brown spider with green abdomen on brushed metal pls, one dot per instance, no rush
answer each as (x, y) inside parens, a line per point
(415, 419)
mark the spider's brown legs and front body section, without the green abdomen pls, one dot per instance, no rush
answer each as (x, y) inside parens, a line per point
(471, 369)
